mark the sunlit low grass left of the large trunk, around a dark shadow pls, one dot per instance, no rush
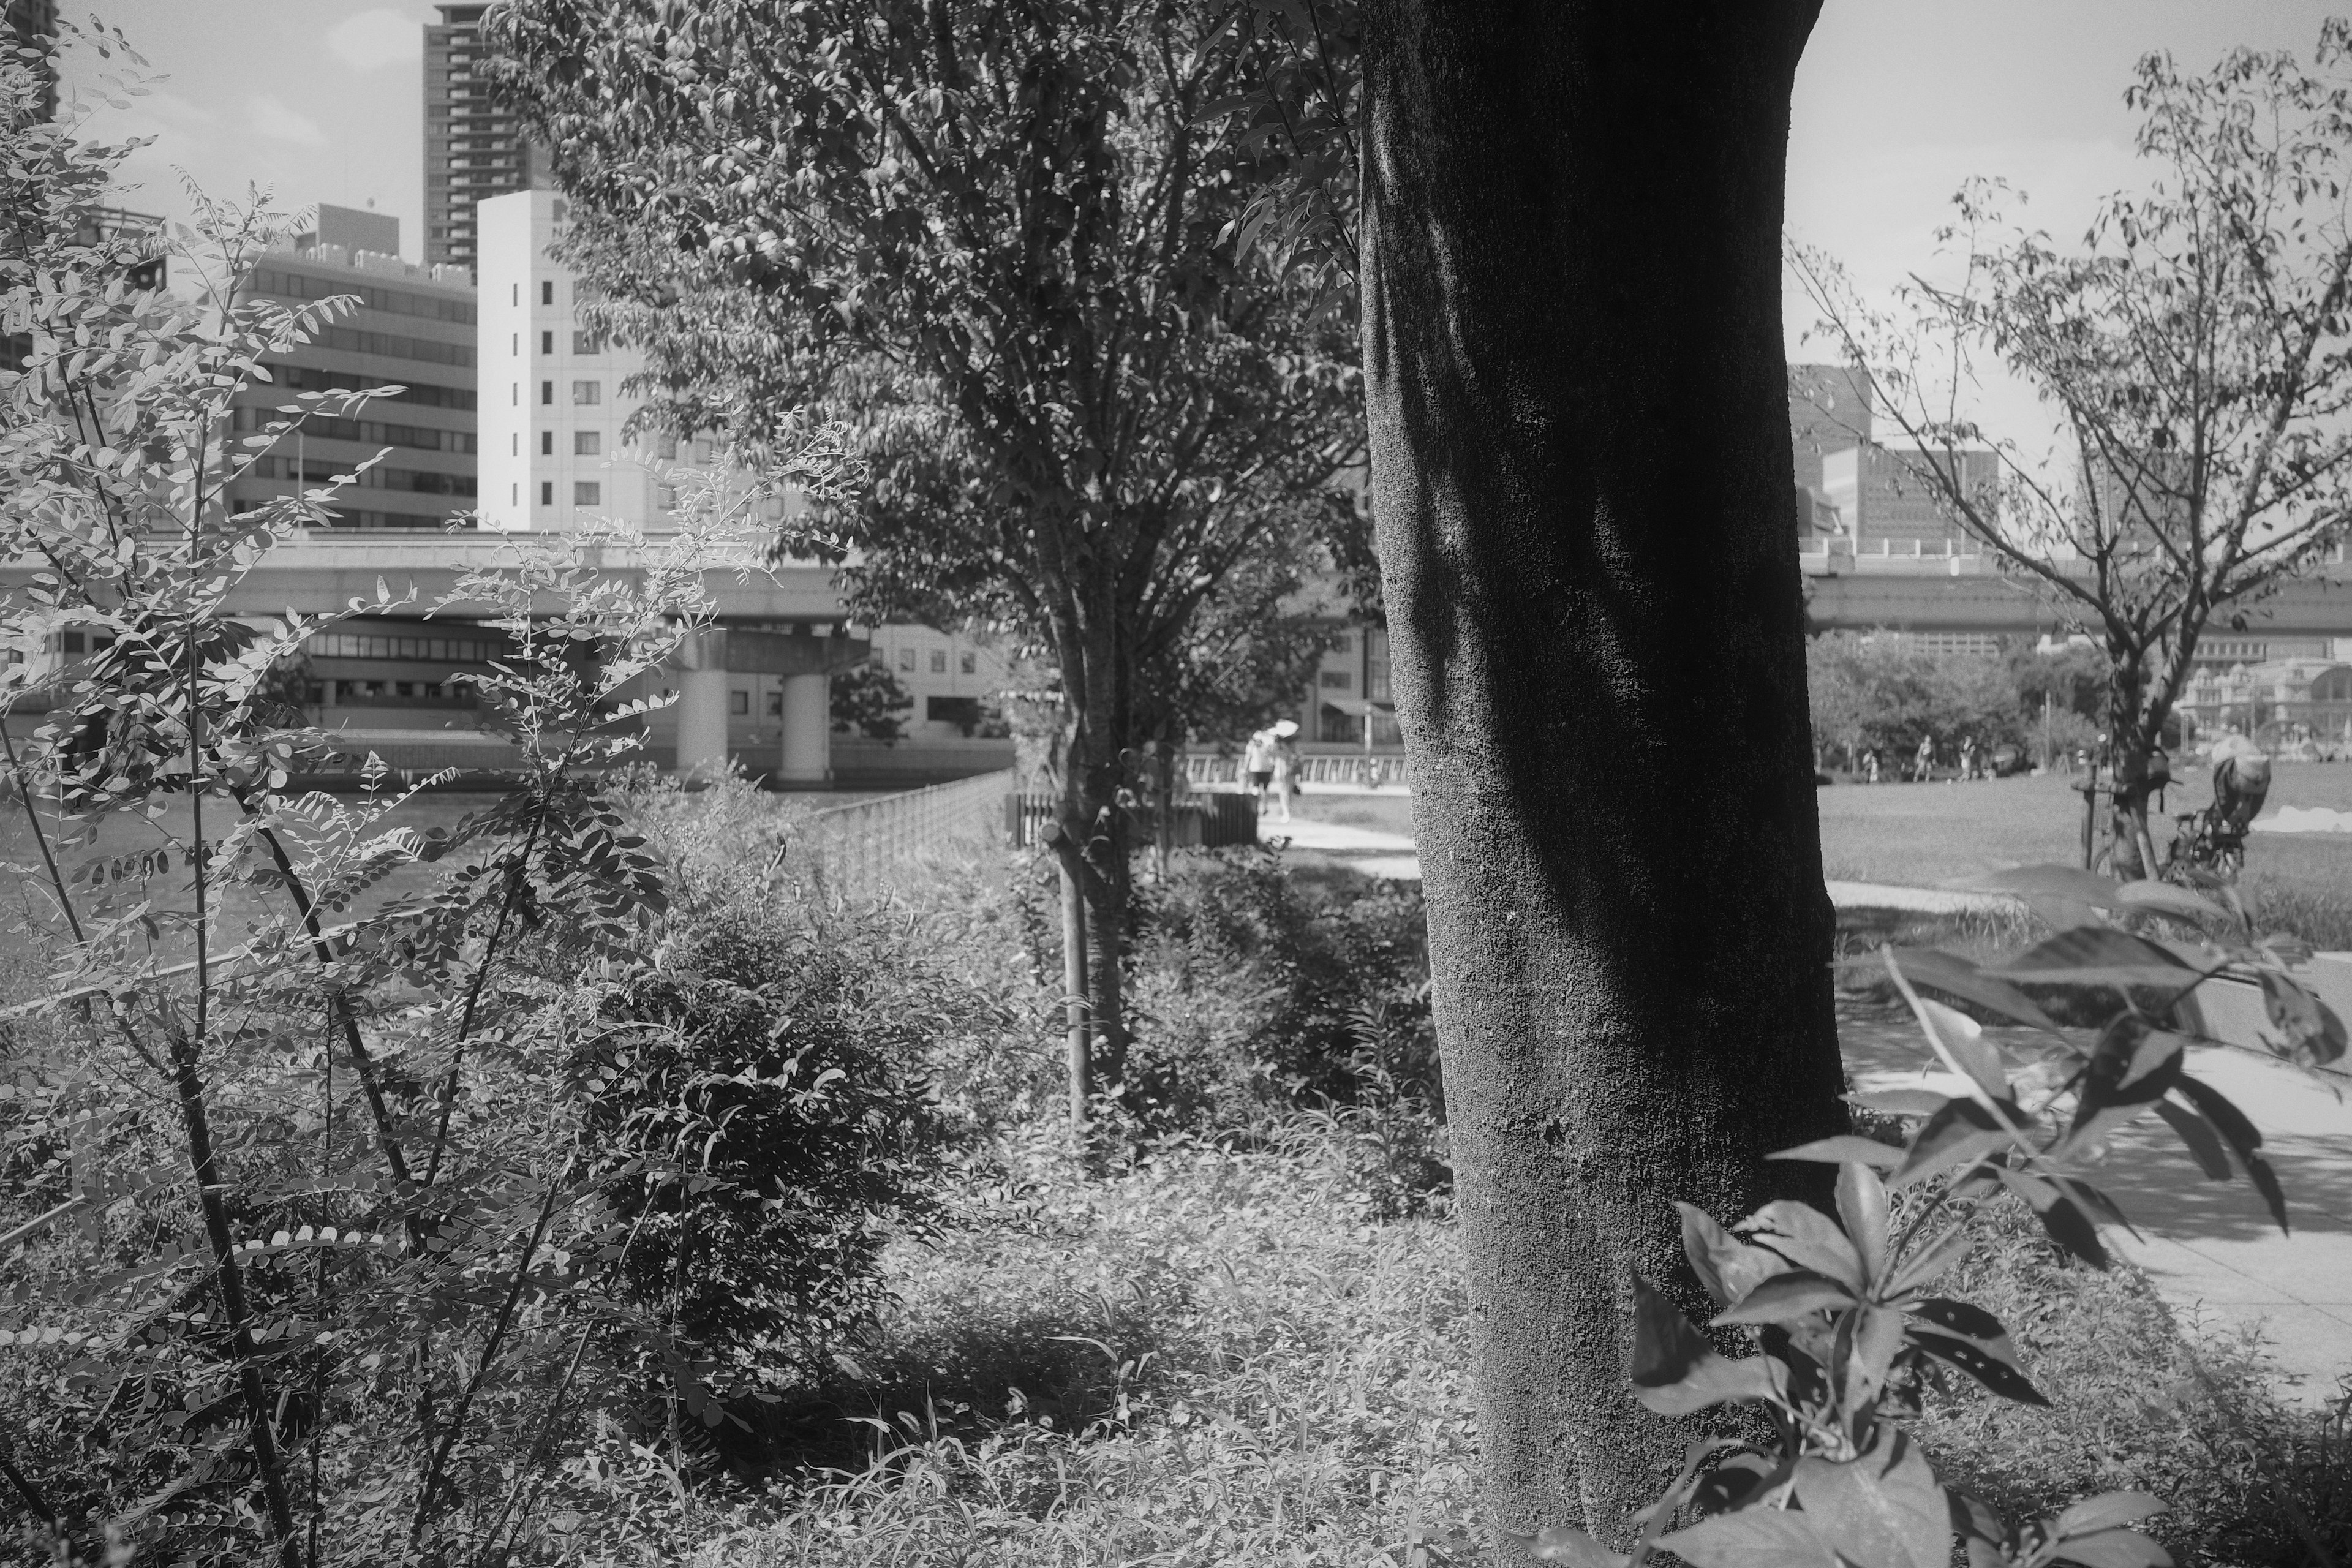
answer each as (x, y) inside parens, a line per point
(1205, 1360)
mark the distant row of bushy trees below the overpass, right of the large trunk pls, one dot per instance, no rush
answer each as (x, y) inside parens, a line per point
(1890, 692)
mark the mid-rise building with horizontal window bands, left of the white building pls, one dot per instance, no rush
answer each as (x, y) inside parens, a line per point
(415, 328)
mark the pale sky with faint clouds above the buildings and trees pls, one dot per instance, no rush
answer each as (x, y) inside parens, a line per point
(1897, 105)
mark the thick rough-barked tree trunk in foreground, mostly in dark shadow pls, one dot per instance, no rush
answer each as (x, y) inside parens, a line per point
(1582, 457)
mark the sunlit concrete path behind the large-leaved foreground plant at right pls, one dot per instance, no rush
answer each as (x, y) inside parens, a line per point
(2207, 1247)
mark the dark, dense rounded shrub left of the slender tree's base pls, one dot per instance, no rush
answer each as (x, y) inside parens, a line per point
(773, 1085)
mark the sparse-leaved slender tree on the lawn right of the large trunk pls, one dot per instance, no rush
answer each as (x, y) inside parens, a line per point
(2196, 356)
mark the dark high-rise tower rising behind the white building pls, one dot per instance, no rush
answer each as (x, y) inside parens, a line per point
(474, 147)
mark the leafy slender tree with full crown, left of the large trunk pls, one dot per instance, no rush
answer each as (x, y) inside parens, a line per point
(998, 234)
